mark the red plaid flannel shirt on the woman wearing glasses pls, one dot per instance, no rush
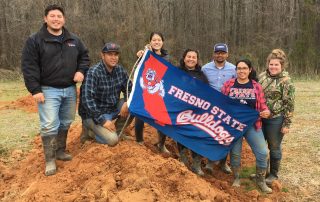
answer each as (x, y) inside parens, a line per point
(260, 99)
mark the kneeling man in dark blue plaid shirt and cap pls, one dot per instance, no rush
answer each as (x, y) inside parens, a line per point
(100, 102)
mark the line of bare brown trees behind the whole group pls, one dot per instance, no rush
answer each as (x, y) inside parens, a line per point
(250, 28)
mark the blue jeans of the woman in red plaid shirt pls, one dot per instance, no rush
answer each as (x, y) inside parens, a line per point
(258, 145)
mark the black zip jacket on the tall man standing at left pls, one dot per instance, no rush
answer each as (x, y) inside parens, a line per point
(47, 61)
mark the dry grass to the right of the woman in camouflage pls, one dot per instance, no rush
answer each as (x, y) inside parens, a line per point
(300, 170)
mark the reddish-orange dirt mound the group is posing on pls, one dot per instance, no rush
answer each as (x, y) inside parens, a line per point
(126, 172)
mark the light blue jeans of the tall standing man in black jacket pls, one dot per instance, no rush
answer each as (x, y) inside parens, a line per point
(58, 110)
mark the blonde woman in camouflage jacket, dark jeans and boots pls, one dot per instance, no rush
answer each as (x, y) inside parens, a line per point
(279, 93)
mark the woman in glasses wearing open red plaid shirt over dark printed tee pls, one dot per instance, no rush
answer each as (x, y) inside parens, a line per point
(246, 90)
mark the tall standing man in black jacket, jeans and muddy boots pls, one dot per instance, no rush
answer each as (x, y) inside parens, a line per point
(53, 61)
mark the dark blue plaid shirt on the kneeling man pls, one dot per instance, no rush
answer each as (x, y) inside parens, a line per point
(100, 91)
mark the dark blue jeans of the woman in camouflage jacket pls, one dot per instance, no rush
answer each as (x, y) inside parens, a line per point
(272, 133)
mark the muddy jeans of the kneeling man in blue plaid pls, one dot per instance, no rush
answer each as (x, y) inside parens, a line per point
(103, 135)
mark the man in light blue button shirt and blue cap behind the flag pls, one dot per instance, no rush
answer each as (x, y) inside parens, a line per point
(218, 71)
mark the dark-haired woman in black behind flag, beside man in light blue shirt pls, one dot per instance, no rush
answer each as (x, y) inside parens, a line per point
(190, 64)
